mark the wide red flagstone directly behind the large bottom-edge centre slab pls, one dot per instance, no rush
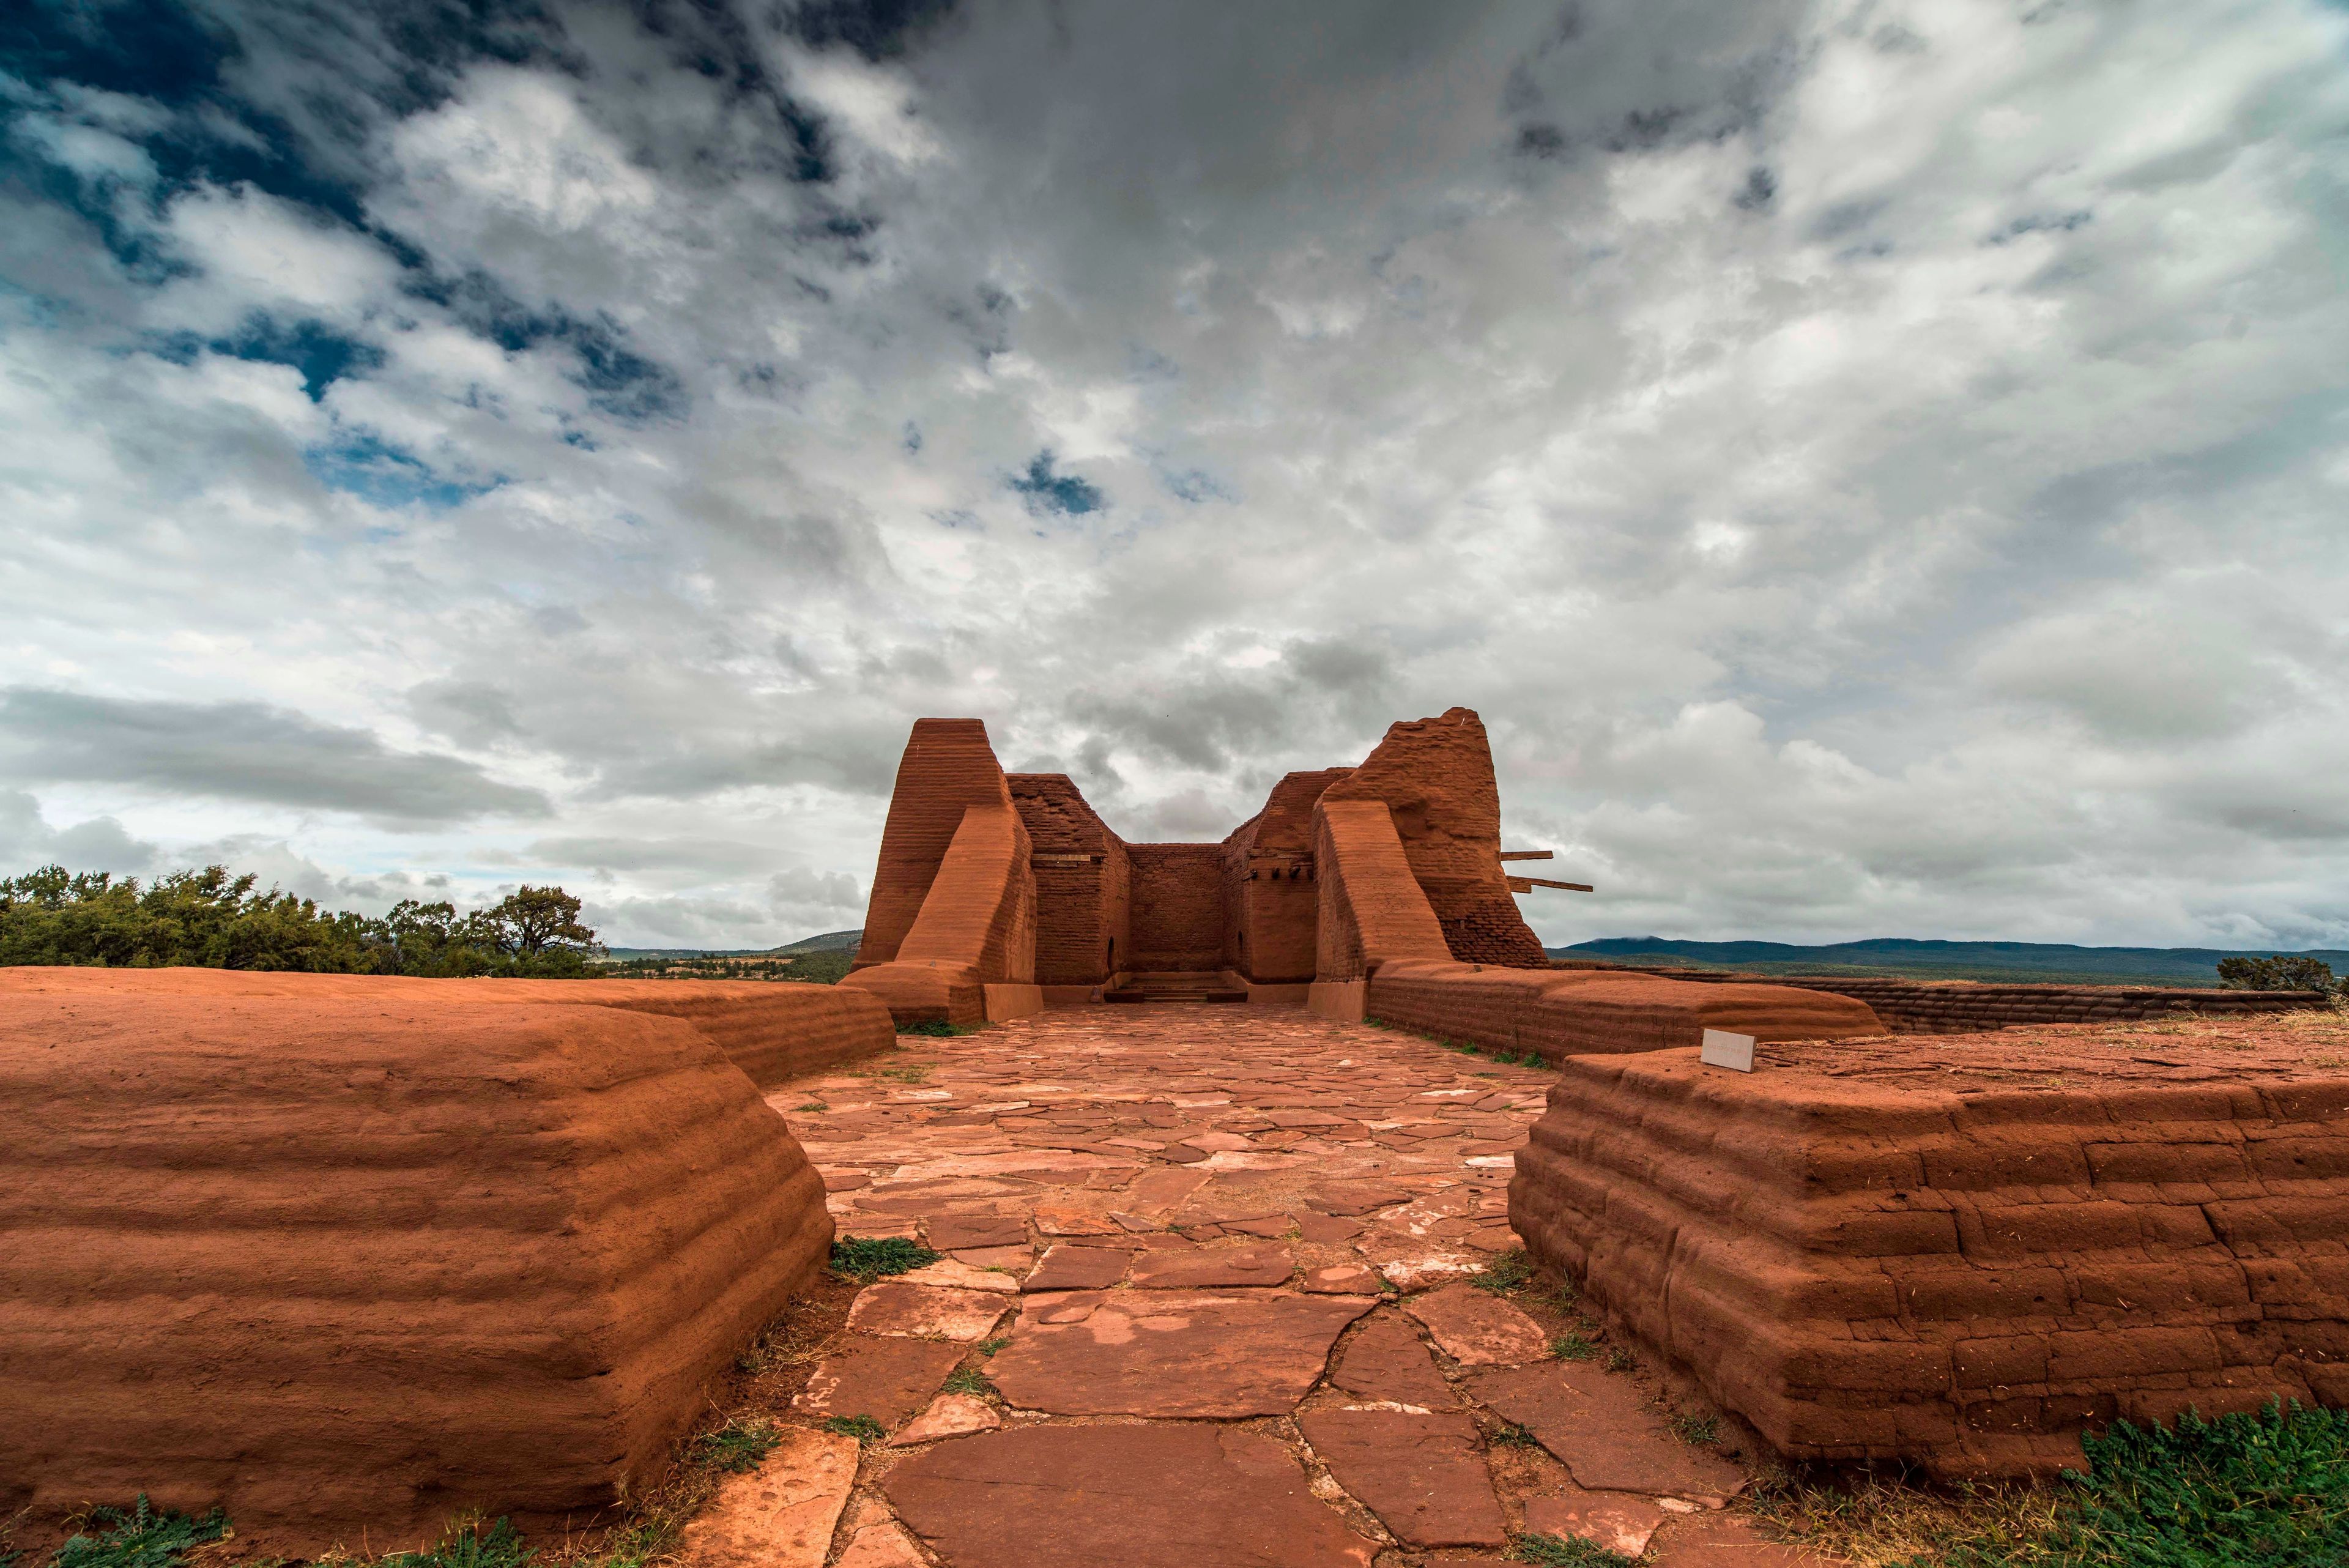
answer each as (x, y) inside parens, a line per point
(1171, 1353)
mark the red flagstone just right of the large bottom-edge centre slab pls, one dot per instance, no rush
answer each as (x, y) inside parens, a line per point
(1420, 1473)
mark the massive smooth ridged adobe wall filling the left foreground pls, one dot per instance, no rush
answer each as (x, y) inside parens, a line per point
(351, 1257)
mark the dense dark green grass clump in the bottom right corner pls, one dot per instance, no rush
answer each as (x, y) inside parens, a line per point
(2240, 1492)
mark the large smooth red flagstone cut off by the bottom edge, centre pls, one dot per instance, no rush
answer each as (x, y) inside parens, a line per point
(1155, 1496)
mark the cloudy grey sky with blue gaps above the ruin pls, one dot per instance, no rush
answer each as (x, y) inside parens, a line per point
(1878, 467)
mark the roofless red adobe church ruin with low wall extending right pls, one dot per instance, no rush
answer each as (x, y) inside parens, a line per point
(1375, 890)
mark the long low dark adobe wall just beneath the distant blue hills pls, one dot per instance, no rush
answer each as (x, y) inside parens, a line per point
(1967, 1007)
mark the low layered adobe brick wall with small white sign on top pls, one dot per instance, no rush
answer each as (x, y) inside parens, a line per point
(1970, 1249)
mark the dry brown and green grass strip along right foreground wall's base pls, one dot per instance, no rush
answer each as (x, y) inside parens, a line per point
(2240, 1492)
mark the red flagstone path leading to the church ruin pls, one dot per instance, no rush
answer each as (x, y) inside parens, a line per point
(1204, 1306)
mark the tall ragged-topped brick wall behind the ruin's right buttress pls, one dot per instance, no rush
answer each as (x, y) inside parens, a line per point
(1436, 779)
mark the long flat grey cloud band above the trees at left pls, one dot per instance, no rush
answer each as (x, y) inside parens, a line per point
(243, 751)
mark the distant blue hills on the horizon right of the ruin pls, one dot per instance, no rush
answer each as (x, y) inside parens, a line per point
(1934, 960)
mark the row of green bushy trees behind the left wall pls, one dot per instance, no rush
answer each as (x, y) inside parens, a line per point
(213, 920)
